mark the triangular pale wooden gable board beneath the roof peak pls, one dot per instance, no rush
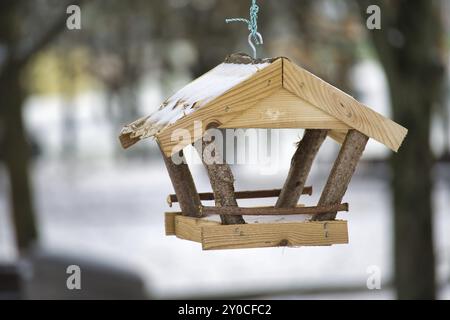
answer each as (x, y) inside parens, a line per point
(284, 109)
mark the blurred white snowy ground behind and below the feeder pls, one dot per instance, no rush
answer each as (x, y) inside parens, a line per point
(115, 213)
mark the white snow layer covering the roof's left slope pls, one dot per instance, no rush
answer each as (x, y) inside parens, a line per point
(192, 97)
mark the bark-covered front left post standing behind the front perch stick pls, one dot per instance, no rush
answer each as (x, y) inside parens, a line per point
(221, 179)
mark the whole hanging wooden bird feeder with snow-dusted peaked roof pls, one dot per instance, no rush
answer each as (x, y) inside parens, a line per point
(272, 93)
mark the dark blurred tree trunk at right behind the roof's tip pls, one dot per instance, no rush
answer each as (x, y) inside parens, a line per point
(410, 47)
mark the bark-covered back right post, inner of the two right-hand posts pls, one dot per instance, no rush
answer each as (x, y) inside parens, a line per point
(300, 167)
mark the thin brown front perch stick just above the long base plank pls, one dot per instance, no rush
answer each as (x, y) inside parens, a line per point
(272, 211)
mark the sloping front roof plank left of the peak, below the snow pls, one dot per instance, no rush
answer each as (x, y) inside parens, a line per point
(231, 104)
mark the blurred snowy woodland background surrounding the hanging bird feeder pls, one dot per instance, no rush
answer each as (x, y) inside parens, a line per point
(69, 195)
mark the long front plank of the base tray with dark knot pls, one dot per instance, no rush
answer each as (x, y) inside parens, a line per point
(274, 234)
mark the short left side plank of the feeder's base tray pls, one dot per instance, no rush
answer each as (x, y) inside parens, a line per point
(188, 228)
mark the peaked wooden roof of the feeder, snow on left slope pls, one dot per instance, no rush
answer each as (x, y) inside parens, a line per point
(270, 93)
